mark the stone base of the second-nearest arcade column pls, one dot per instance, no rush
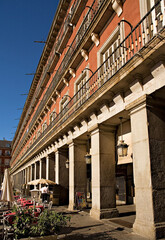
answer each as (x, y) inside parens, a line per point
(104, 213)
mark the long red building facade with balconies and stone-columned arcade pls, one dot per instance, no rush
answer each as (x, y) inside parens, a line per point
(100, 80)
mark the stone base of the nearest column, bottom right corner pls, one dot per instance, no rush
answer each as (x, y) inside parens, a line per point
(149, 230)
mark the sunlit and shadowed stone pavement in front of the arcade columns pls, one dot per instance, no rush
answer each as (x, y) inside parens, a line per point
(82, 226)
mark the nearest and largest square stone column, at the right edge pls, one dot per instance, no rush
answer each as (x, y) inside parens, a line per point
(148, 140)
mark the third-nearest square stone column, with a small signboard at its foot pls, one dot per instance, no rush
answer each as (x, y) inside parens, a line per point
(77, 170)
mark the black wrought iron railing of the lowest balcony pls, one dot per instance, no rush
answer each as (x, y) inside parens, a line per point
(136, 40)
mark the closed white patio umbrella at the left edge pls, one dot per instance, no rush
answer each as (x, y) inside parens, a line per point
(7, 191)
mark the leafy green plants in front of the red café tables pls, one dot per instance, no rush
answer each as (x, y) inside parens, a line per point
(48, 223)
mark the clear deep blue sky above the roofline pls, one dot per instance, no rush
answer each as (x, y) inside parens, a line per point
(21, 23)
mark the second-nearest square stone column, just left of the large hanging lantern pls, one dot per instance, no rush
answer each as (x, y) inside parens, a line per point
(103, 173)
